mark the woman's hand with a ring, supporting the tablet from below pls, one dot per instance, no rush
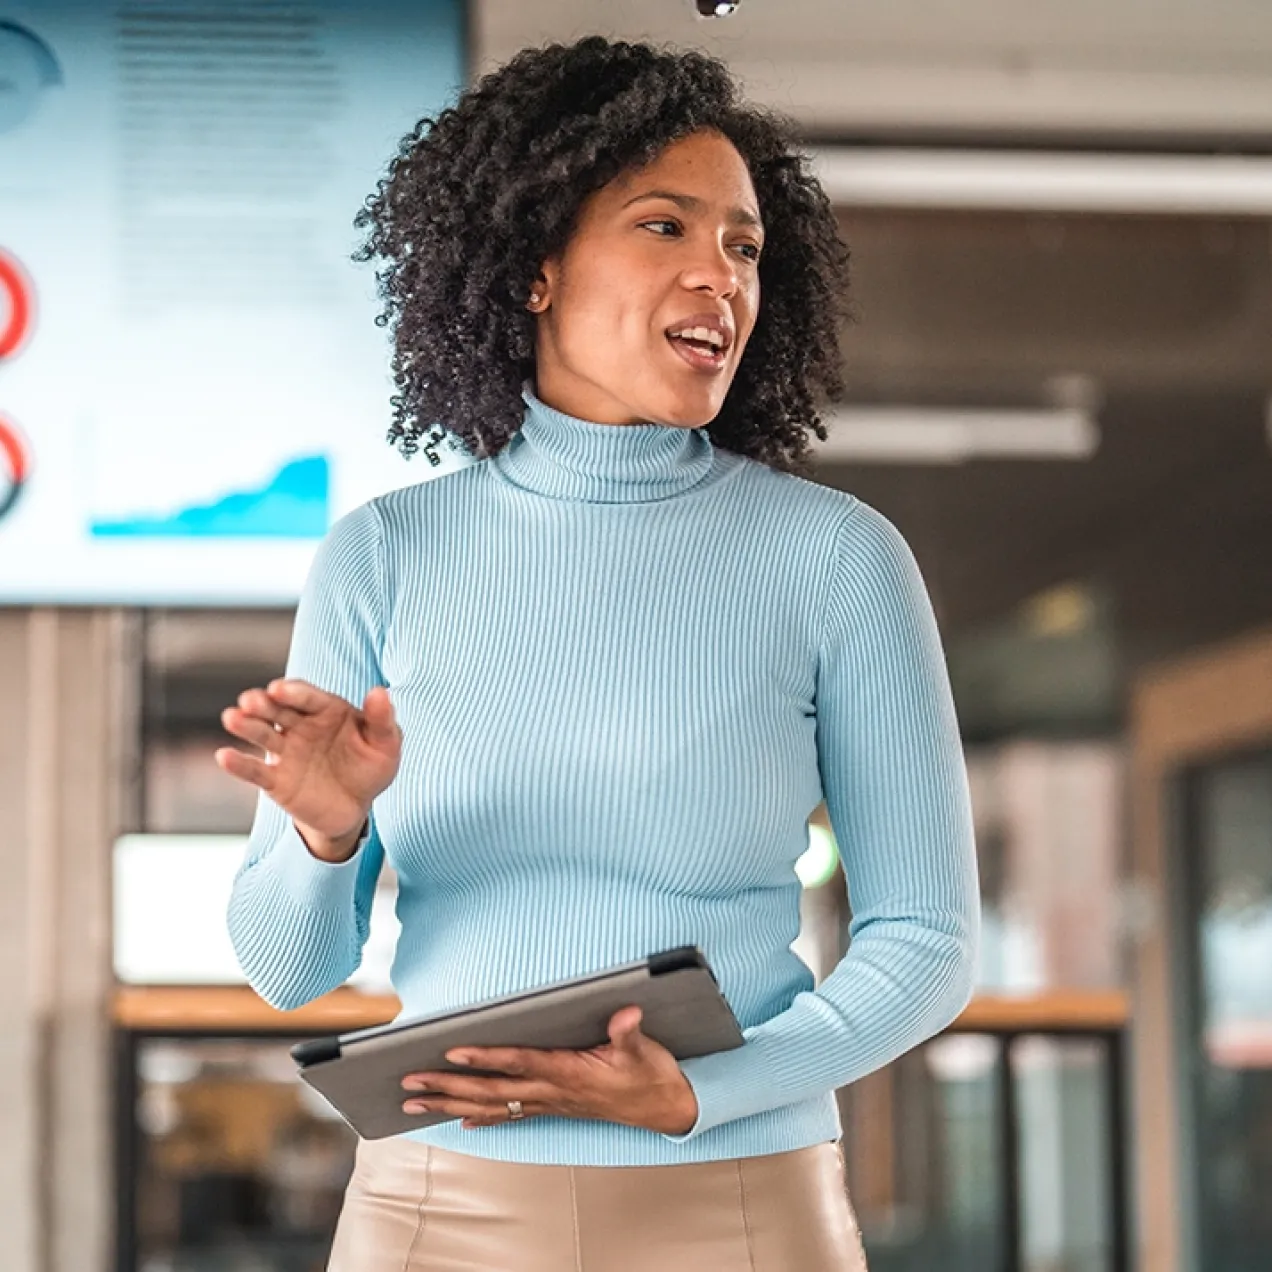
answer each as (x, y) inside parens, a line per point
(632, 1081)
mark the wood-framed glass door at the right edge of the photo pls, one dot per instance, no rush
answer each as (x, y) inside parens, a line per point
(1200, 909)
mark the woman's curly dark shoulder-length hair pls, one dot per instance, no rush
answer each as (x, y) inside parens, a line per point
(476, 200)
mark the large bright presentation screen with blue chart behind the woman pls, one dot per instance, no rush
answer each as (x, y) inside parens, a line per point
(193, 386)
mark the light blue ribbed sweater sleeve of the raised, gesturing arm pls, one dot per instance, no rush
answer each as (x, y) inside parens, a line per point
(300, 924)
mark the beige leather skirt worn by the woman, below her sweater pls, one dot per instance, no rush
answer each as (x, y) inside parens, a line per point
(415, 1209)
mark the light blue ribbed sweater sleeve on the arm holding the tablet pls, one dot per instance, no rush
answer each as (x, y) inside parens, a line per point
(896, 789)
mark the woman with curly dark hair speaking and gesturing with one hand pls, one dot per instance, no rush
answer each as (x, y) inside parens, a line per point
(586, 693)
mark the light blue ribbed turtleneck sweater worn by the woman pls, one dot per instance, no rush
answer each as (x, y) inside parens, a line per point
(628, 667)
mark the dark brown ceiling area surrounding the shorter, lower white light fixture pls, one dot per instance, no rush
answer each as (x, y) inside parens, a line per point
(1170, 321)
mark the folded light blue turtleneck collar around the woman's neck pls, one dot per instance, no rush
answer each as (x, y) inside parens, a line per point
(563, 457)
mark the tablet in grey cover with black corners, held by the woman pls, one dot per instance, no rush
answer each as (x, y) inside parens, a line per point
(361, 1074)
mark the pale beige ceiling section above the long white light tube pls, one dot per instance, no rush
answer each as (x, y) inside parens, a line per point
(1179, 72)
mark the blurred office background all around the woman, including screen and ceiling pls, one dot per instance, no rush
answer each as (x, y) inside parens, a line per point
(1060, 376)
